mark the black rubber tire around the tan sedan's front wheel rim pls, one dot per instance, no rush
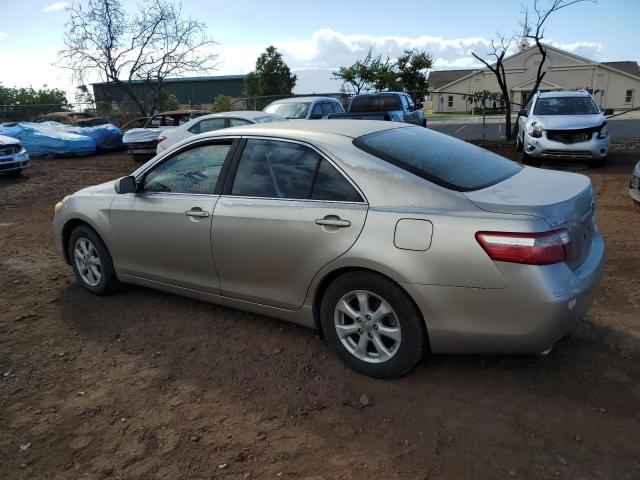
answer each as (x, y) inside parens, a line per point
(108, 280)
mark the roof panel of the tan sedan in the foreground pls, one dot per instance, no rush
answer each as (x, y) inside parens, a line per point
(301, 128)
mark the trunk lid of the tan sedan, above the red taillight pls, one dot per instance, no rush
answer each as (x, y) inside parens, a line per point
(562, 199)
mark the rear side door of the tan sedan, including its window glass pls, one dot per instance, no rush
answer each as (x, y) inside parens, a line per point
(285, 213)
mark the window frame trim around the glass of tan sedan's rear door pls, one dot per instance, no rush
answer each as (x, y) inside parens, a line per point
(232, 169)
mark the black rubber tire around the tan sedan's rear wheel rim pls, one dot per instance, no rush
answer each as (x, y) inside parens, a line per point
(413, 333)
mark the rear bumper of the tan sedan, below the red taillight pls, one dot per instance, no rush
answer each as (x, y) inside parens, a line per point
(537, 308)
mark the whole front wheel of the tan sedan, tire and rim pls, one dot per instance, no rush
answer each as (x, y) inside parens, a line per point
(91, 261)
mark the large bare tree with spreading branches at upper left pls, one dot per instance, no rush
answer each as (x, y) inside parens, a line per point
(154, 44)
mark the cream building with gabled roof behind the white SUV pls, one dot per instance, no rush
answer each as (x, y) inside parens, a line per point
(614, 84)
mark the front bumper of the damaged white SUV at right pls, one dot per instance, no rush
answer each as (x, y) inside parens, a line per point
(594, 149)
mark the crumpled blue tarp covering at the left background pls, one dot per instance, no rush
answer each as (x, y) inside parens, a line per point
(58, 139)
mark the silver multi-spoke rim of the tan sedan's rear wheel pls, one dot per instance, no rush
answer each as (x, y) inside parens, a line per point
(367, 326)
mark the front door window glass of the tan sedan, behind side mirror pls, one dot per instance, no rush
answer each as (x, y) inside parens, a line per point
(193, 171)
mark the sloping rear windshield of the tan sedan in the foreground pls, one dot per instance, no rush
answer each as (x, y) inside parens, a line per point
(443, 160)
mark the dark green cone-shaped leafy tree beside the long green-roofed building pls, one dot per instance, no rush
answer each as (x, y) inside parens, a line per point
(271, 77)
